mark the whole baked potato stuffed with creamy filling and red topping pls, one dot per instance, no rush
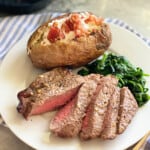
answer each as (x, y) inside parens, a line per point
(73, 39)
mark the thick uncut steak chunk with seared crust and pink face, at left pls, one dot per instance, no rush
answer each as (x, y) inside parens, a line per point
(49, 91)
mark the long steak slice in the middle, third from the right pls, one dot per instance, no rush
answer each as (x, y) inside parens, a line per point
(92, 125)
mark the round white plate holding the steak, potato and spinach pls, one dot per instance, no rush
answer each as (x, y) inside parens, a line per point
(17, 72)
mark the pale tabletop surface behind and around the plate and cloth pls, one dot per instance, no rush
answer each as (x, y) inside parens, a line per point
(135, 12)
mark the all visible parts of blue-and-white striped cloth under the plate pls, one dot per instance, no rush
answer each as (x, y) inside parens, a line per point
(14, 28)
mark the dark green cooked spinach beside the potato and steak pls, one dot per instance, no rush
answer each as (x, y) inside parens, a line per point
(127, 74)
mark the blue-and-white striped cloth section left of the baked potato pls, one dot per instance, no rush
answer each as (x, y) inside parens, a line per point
(13, 29)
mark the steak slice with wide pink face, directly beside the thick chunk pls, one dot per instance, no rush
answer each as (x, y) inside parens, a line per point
(67, 122)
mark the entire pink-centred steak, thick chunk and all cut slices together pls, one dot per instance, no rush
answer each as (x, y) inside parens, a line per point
(90, 106)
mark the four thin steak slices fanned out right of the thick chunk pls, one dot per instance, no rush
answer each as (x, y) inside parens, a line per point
(98, 110)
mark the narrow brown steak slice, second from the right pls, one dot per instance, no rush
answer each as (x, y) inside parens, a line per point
(110, 122)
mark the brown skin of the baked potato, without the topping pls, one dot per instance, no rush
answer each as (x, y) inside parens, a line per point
(74, 53)
